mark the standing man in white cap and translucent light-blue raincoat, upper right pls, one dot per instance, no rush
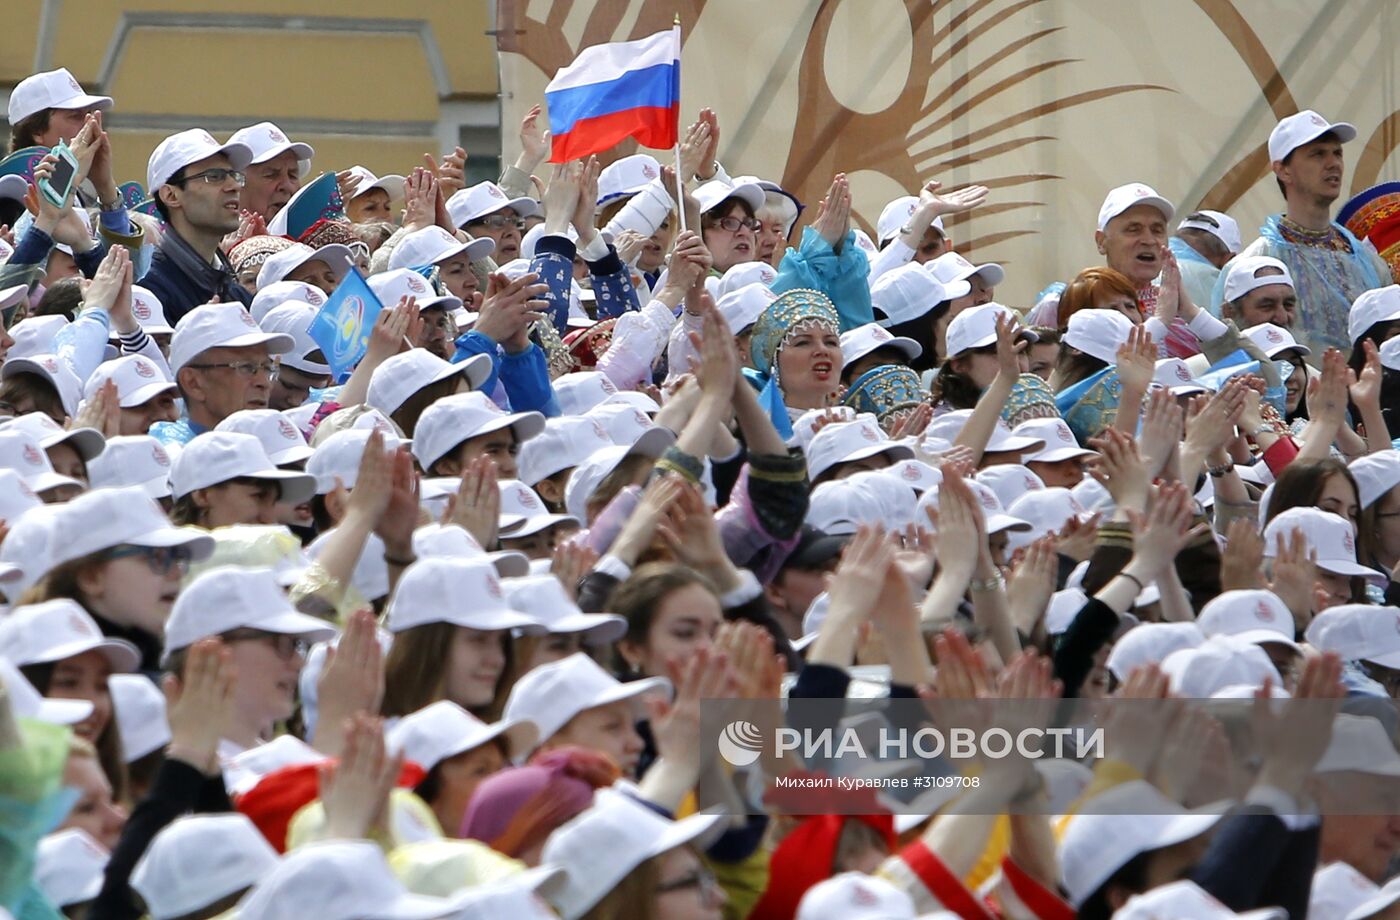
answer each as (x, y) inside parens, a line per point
(1329, 267)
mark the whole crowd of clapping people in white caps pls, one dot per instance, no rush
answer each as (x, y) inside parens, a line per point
(432, 636)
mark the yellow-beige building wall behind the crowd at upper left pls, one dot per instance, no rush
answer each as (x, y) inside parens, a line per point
(363, 82)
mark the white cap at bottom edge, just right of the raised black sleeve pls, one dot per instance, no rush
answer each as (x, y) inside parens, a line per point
(198, 860)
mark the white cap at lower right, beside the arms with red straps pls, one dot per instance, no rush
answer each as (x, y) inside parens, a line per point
(1116, 827)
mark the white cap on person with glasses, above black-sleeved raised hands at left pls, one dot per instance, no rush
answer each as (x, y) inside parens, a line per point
(230, 597)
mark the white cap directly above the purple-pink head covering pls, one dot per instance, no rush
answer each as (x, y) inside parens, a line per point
(554, 694)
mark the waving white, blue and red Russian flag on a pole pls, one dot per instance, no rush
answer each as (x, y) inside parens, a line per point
(617, 92)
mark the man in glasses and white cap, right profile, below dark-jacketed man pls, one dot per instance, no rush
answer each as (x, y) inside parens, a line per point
(222, 363)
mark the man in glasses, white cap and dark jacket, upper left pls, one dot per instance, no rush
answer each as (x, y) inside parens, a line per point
(197, 184)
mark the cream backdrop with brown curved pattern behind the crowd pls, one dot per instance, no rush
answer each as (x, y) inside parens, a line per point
(1049, 103)
